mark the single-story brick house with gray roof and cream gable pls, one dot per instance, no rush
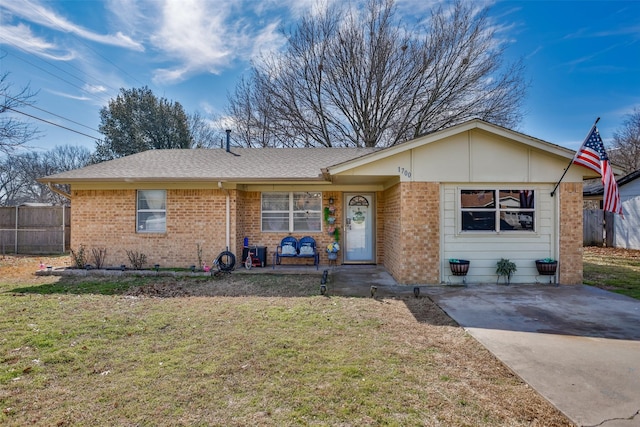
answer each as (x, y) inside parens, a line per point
(474, 191)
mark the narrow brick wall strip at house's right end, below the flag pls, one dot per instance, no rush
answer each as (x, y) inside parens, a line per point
(570, 263)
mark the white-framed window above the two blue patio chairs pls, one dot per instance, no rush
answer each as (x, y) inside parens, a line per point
(292, 211)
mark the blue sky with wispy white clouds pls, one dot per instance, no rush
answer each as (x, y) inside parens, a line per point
(582, 58)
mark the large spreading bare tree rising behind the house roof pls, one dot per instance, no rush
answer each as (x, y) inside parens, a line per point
(366, 78)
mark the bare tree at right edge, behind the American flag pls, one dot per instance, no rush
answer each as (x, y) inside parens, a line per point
(625, 149)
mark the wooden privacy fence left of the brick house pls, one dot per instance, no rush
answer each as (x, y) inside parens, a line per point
(35, 229)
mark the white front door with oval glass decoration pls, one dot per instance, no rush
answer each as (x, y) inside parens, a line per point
(359, 230)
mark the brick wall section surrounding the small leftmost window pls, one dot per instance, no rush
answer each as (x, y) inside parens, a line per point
(107, 219)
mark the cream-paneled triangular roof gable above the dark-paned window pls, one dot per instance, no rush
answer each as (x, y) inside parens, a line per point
(474, 151)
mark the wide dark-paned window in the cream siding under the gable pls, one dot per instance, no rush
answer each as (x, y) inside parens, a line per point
(497, 210)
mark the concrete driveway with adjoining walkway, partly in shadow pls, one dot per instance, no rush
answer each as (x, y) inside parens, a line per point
(578, 346)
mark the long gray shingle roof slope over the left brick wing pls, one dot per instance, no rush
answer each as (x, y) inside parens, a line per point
(240, 164)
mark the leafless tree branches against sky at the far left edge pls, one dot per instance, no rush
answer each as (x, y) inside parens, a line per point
(14, 132)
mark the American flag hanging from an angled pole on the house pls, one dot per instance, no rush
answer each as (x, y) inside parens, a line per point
(593, 155)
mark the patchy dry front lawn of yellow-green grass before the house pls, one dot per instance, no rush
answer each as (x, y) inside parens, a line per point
(241, 350)
